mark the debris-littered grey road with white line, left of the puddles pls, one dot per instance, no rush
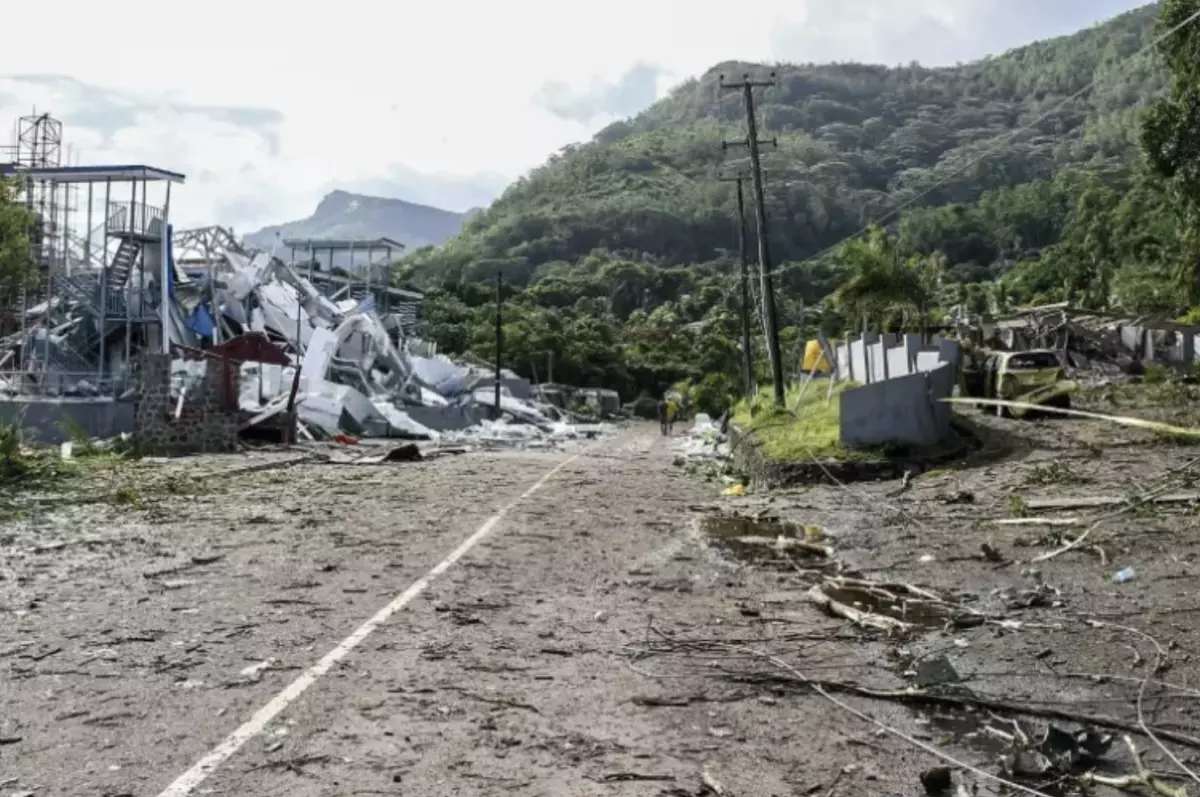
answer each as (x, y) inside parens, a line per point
(429, 630)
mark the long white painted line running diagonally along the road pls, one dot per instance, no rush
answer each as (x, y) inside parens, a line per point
(188, 782)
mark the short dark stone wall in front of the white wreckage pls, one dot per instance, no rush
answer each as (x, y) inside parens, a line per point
(205, 426)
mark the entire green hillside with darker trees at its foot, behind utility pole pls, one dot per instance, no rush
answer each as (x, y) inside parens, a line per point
(1001, 182)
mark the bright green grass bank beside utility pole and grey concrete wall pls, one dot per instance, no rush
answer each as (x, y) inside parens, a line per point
(809, 432)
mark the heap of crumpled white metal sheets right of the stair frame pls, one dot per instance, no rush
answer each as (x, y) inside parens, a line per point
(363, 374)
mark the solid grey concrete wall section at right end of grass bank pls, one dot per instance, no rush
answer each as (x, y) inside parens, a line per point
(903, 410)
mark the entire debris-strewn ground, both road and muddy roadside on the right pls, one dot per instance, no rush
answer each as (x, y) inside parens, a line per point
(592, 640)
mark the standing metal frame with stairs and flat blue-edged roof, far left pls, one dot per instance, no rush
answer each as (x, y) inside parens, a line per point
(101, 267)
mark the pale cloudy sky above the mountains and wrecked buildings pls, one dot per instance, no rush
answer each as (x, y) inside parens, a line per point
(268, 106)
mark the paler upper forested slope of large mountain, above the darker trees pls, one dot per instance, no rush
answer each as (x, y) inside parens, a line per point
(855, 142)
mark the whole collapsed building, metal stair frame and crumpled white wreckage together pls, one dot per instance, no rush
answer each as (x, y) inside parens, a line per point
(127, 284)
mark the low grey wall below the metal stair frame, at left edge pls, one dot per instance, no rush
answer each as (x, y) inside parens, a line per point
(49, 421)
